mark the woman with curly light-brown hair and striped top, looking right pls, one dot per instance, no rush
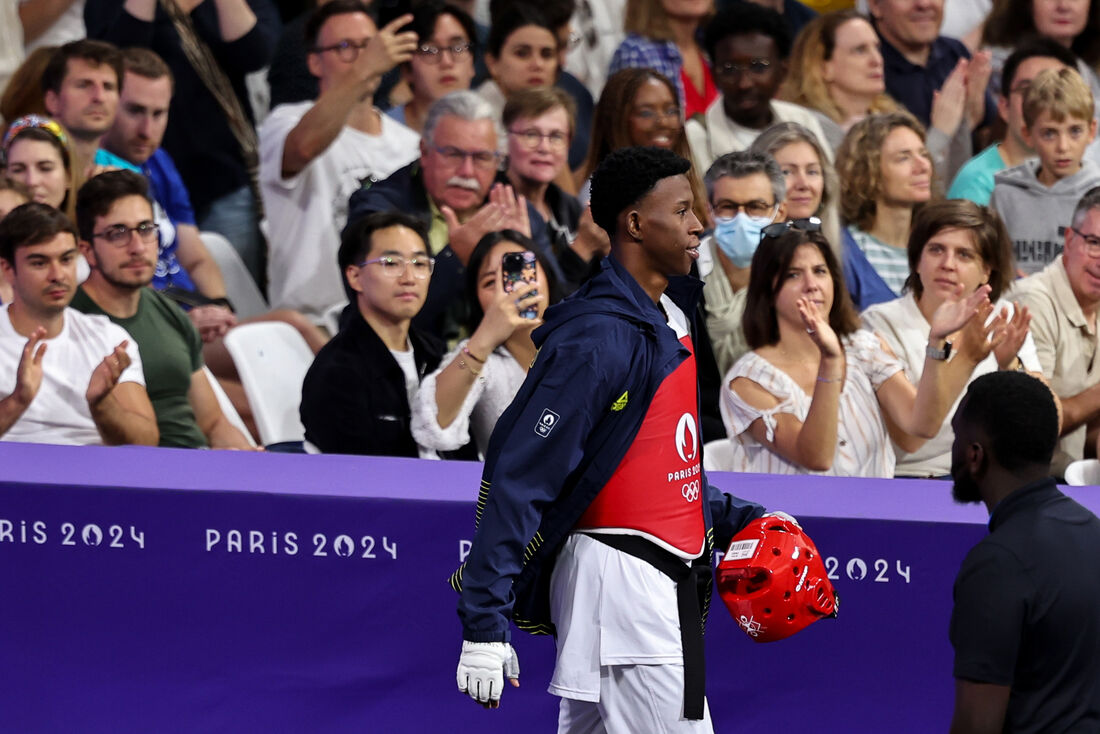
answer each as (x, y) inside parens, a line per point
(886, 173)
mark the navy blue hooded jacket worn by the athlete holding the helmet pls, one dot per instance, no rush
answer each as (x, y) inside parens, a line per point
(603, 354)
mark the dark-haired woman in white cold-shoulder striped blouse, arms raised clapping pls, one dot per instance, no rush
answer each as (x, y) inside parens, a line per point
(818, 395)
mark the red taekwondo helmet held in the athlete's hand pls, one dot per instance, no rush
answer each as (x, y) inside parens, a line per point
(774, 582)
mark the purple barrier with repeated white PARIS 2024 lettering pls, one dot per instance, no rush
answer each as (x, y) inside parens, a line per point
(195, 591)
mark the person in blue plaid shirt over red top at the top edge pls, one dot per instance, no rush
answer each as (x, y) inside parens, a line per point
(663, 36)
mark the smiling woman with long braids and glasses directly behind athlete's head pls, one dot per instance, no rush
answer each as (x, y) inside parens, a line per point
(640, 107)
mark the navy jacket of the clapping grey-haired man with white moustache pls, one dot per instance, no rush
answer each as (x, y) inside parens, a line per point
(404, 192)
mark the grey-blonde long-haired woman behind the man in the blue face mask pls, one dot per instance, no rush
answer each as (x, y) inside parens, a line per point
(812, 188)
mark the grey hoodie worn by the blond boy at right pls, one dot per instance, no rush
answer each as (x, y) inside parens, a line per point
(1035, 213)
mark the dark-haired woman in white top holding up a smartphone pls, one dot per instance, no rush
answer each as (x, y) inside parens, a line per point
(481, 376)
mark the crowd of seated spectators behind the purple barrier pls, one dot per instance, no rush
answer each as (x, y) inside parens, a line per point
(379, 169)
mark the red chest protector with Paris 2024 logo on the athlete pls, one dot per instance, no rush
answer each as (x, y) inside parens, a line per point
(656, 490)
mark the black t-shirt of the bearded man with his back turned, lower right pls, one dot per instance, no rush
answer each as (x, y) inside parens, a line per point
(1028, 611)
